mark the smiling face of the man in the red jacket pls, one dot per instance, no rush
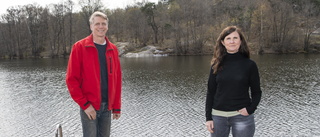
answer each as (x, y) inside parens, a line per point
(99, 27)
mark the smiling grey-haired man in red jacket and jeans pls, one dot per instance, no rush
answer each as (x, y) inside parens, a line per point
(94, 78)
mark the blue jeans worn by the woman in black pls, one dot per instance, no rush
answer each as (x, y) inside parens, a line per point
(241, 126)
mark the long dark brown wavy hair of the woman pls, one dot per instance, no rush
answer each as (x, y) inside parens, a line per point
(220, 50)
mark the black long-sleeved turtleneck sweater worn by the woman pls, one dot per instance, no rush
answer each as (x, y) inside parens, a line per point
(228, 90)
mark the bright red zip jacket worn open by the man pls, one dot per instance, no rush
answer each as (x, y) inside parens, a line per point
(83, 75)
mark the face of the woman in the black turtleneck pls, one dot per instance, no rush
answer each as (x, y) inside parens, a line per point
(232, 42)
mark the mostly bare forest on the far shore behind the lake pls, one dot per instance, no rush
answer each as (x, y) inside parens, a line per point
(189, 27)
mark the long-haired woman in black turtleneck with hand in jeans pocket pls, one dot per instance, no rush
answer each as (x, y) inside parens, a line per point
(229, 104)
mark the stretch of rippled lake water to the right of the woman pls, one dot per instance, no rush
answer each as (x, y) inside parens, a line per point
(292, 91)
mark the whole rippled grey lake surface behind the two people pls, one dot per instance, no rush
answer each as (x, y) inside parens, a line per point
(162, 97)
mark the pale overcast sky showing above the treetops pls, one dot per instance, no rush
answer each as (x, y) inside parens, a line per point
(111, 4)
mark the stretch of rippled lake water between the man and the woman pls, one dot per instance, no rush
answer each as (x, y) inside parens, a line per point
(166, 94)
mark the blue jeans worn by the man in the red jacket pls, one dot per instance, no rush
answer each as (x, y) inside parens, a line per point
(100, 127)
